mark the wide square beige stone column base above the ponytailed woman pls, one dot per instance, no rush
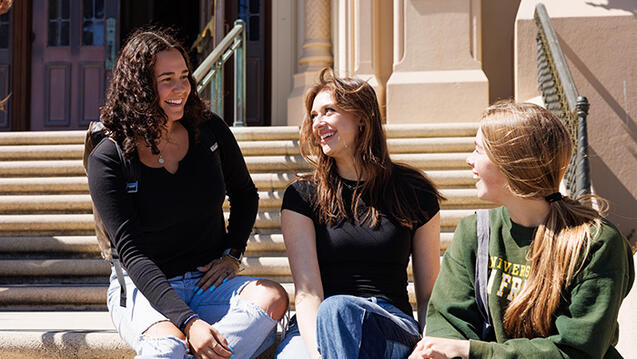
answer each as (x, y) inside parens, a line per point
(436, 77)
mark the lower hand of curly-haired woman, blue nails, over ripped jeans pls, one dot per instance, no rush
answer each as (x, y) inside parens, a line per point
(205, 341)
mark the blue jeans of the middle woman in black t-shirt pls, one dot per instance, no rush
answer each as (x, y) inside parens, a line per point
(353, 327)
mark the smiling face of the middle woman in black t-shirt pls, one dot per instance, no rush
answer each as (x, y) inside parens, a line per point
(335, 130)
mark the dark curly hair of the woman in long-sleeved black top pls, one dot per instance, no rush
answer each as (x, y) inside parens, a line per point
(132, 107)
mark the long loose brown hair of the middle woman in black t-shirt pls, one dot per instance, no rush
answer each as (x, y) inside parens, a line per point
(389, 188)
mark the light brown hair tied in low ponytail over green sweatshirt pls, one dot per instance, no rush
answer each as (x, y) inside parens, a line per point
(533, 148)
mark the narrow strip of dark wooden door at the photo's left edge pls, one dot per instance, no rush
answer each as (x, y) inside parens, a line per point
(5, 68)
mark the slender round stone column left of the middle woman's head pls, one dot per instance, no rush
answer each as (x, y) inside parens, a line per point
(316, 54)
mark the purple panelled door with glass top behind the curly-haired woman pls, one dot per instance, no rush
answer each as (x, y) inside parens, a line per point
(69, 62)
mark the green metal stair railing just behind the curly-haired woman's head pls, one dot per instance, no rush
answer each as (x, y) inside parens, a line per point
(209, 74)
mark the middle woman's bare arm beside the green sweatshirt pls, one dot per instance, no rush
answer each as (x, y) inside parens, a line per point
(426, 263)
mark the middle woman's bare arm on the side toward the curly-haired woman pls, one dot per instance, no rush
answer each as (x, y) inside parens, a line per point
(300, 242)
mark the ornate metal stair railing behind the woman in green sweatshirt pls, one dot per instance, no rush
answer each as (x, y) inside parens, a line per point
(560, 96)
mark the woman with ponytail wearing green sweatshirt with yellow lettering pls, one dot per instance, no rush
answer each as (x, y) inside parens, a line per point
(557, 270)
